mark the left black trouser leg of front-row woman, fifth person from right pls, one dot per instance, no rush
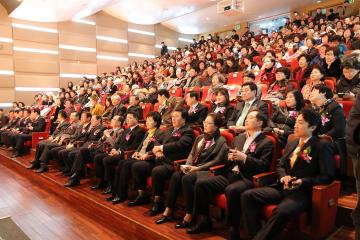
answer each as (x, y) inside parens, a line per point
(122, 177)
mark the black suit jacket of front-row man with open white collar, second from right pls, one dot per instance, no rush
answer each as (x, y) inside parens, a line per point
(258, 161)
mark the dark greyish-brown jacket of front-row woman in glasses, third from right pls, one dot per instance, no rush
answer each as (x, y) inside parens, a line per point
(211, 156)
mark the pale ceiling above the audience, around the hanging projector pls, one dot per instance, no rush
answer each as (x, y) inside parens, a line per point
(184, 16)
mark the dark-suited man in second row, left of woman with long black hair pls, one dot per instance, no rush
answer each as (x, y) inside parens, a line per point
(197, 112)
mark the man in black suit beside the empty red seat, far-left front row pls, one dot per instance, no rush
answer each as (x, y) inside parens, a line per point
(38, 125)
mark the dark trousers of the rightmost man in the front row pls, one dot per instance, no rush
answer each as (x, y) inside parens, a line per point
(289, 205)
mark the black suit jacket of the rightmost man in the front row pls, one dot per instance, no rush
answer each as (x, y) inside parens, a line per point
(319, 170)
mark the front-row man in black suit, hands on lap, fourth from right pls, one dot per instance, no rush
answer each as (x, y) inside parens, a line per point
(175, 144)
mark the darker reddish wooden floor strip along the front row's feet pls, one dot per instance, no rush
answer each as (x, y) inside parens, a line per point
(129, 223)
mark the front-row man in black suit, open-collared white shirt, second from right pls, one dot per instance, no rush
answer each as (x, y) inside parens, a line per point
(252, 153)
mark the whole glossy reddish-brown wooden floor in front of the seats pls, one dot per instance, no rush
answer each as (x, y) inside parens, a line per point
(44, 209)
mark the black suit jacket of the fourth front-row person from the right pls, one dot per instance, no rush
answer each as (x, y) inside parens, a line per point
(177, 144)
